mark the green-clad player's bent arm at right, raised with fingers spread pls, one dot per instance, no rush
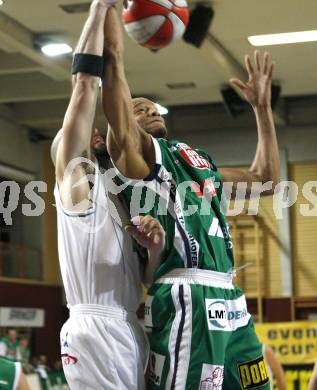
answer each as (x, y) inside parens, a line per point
(266, 165)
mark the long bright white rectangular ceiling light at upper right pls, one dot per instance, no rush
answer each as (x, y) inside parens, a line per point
(284, 38)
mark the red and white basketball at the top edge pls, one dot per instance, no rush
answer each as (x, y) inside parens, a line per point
(156, 23)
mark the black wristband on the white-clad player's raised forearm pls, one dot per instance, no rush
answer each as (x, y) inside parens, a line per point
(88, 63)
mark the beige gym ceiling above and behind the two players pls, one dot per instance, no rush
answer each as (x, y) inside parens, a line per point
(34, 89)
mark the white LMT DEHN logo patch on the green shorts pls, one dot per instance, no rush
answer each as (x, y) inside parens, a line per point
(226, 315)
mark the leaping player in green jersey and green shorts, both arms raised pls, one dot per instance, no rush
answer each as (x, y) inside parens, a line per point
(202, 334)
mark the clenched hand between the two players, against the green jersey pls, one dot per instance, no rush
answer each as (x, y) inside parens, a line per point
(148, 232)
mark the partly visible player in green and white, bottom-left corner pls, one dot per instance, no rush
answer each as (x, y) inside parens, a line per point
(11, 376)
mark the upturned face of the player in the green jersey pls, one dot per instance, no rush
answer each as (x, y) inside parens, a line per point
(148, 117)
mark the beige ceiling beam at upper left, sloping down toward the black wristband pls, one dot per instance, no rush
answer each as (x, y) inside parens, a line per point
(19, 39)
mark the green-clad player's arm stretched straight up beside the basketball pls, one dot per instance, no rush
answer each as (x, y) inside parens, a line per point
(129, 146)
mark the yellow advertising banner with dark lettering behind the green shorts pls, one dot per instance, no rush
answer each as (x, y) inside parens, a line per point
(293, 342)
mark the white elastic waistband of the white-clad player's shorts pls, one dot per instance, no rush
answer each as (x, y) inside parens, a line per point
(103, 311)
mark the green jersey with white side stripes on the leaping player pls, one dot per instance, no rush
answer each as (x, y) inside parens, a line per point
(184, 193)
